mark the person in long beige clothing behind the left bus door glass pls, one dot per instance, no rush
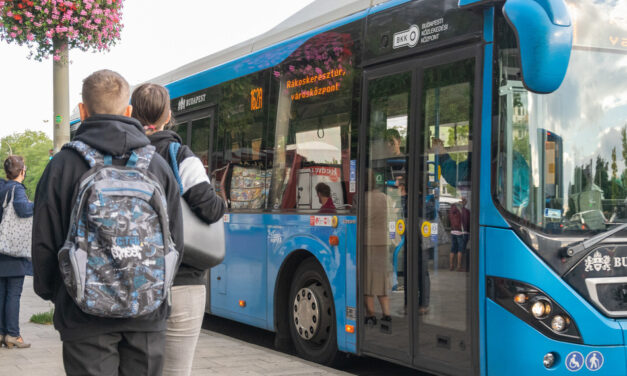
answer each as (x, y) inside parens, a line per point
(376, 245)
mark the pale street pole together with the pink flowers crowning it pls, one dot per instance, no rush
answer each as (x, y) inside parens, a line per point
(52, 27)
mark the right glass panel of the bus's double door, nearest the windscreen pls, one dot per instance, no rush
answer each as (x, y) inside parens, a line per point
(444, 212)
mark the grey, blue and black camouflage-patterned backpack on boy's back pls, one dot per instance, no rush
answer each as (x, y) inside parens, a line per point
(118, 259)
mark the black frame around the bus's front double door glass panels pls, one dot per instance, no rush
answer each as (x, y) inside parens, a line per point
(417, 65)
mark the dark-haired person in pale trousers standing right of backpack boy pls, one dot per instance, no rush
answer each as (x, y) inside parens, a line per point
(151, 106)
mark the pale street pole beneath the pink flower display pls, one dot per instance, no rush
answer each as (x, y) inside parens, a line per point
(61, 100)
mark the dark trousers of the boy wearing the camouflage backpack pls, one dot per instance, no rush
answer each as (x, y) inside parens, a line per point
(113, 354)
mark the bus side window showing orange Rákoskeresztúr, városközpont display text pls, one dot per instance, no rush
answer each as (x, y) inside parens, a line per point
(313, 97)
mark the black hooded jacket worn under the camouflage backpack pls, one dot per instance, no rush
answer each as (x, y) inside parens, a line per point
(54, 198)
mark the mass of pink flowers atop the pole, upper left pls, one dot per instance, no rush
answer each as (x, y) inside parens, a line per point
(87, 25)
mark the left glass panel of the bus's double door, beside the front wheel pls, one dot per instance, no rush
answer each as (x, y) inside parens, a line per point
(384, 252)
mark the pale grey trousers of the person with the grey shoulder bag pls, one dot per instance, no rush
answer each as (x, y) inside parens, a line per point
(188, 310)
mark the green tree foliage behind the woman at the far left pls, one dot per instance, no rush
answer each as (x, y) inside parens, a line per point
(34, 147)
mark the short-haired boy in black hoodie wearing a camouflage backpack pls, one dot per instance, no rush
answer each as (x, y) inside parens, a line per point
(108, 238)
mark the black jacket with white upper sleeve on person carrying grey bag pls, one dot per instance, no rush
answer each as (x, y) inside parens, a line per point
(197, 192)
